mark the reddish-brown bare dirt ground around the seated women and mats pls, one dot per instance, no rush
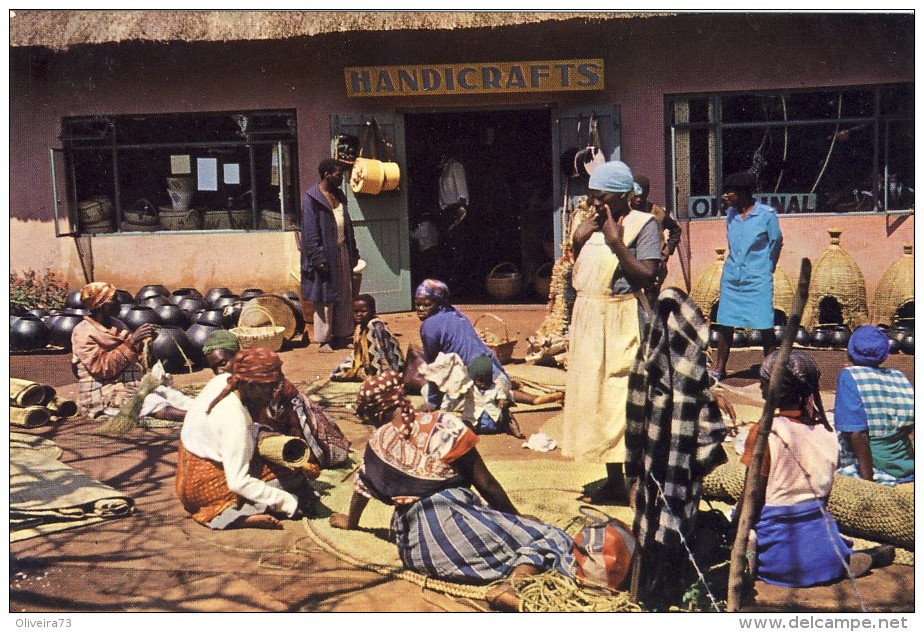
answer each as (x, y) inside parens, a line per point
(159, 560)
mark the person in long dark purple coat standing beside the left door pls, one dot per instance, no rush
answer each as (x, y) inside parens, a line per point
(328, 256)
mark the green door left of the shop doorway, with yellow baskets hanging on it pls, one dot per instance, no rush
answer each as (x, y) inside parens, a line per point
(381, 221)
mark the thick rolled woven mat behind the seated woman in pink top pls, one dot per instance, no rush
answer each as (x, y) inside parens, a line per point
(861, 508)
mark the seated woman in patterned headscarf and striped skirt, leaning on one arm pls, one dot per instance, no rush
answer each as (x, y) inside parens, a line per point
(425, 464)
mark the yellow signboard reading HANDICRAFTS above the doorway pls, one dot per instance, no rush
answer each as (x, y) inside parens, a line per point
(478, 78)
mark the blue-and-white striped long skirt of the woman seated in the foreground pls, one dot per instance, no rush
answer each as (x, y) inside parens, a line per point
(452, 535)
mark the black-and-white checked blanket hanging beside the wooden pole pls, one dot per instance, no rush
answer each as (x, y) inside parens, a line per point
(674, 427)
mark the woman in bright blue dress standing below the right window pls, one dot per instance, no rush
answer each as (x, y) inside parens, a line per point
(754, 244)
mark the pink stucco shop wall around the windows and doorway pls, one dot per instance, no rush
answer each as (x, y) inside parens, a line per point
(645, 59)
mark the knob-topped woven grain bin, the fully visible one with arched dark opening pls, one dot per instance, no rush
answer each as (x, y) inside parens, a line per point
(836, 277)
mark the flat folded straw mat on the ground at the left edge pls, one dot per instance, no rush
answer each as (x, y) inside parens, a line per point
(48, 496)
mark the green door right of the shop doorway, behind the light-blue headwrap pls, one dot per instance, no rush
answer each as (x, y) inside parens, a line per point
(565, 134)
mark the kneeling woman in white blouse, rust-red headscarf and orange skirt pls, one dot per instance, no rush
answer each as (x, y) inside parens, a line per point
(219, 478)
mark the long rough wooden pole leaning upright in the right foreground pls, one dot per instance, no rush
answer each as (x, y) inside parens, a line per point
(752, 495)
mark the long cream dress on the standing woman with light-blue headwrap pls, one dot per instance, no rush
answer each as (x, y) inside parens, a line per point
(604, 340)
